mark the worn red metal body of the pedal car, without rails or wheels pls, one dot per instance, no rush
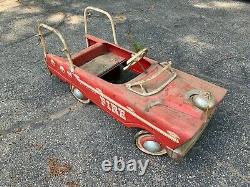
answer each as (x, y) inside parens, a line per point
(176, 122)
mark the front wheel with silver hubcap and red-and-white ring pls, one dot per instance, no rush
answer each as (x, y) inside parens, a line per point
(148, 144)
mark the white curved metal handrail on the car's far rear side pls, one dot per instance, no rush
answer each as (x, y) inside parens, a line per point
(103, 12)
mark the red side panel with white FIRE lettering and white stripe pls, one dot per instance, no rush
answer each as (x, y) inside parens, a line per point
(107, 102)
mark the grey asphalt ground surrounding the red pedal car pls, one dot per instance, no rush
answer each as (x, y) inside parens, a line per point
(40, 121)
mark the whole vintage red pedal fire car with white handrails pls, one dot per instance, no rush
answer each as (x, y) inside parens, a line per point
(171, 107)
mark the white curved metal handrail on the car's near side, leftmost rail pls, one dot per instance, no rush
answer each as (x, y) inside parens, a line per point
(45, 48)
